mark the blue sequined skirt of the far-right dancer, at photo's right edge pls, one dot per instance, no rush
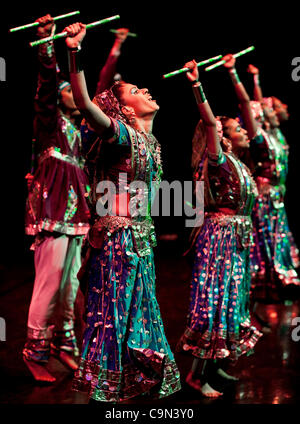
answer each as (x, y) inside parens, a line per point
(274, 254)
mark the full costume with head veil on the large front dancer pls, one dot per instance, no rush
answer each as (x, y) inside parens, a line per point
(125, 352)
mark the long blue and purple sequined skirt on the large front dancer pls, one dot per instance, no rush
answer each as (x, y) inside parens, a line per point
(125, 352)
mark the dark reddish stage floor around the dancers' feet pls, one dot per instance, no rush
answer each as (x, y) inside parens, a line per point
(270, 376)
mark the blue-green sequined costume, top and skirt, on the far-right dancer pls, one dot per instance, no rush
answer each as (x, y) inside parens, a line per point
(274, 255)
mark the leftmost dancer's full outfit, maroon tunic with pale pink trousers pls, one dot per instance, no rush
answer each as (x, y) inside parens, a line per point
(57, 214)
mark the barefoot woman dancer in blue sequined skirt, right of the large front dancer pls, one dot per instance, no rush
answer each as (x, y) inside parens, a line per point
(219, 325)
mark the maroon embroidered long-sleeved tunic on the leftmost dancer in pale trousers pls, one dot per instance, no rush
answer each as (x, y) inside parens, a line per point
(57, 199)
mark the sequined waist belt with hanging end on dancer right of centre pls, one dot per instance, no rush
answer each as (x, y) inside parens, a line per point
(242, 223)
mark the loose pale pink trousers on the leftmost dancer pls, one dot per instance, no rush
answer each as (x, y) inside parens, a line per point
(57, 260)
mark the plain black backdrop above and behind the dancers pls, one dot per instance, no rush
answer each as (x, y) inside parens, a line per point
(169, 34)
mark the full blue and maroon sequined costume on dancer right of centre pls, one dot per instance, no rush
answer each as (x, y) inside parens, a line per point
(218, 324)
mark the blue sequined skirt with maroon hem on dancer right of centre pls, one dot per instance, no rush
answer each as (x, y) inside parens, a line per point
(218, 324)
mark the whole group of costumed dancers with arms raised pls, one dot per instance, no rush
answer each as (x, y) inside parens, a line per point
(243, 252)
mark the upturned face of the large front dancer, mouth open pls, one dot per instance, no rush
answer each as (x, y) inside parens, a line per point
(138, 99)
